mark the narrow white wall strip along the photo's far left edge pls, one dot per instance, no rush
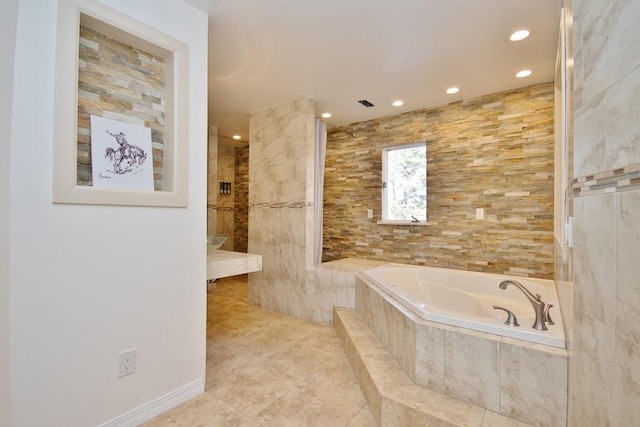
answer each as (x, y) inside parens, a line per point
(8, 18)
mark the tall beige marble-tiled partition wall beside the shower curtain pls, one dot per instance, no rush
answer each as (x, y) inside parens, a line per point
(281, 211)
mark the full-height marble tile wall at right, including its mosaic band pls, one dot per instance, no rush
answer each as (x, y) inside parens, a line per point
(604, 373)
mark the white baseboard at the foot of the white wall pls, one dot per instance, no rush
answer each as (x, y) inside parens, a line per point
(158, 406)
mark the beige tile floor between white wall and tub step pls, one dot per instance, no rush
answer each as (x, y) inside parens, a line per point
(268, 369)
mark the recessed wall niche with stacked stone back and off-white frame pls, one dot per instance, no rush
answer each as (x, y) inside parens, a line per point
(113, 67)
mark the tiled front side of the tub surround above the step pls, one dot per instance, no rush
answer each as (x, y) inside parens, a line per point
(520, 380)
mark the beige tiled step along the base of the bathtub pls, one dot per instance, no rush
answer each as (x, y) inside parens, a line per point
(395, 400)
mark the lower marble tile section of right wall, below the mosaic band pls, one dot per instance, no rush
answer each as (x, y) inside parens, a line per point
(603, 380)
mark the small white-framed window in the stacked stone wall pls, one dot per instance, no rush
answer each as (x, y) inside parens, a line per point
(404, 183)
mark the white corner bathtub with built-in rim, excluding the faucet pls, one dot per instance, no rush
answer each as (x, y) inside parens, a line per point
(466, 299)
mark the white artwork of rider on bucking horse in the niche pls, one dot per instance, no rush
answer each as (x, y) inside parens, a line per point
(121, 154)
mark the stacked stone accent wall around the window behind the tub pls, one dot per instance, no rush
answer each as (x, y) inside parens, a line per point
(494, 152)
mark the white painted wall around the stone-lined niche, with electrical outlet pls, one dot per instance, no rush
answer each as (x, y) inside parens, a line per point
(87, 282)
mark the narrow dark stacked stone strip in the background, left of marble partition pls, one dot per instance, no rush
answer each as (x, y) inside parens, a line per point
(241, 235)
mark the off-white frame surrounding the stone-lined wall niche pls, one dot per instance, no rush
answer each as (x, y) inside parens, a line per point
(144, 38)
